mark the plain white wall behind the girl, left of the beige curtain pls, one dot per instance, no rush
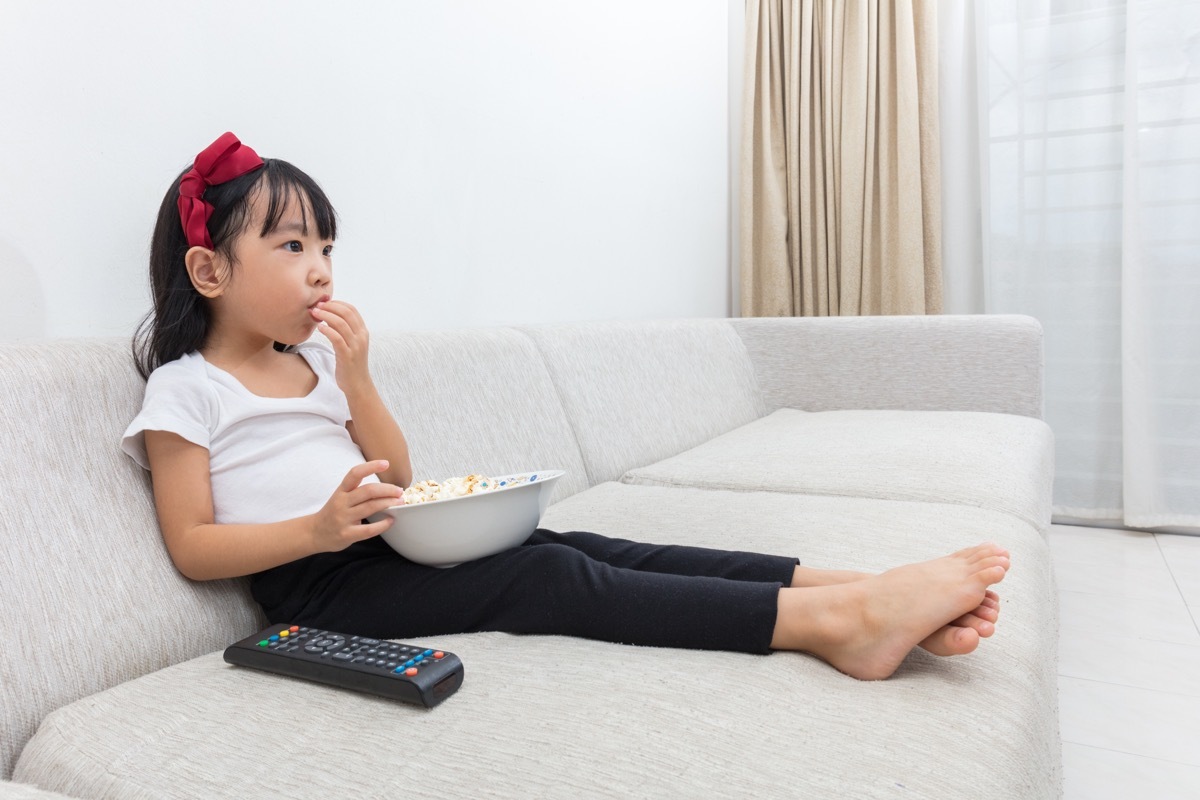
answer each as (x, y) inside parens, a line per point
(525, 161)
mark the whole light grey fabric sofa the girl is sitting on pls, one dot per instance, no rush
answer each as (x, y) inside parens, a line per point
(859, 443)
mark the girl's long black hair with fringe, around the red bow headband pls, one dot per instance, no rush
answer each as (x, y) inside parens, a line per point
(179, 321)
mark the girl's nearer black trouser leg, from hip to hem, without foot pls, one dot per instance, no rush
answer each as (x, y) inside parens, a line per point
(550, 588)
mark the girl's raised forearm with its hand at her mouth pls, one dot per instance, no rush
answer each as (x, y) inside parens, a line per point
(373, 428)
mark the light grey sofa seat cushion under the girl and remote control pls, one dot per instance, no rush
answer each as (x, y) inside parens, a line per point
(559, 717)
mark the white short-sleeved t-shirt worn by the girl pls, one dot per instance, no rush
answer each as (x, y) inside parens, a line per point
(271, 459)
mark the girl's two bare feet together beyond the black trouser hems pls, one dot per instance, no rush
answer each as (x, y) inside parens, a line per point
(867, 628)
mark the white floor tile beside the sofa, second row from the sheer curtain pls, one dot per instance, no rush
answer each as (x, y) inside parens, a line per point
(1141, 619)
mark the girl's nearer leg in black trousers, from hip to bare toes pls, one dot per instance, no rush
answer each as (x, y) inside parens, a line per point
(863, 628)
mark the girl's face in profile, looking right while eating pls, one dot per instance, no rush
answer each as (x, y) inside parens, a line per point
(278, 278)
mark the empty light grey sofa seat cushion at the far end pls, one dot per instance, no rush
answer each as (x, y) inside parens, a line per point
(1001, 462)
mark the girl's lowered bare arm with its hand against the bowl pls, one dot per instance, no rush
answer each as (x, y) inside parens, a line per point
(205, 551)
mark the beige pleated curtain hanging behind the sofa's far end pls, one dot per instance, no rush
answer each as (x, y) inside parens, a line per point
(841, 185)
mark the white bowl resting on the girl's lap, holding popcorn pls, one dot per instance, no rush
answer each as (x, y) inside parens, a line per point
(447, 533)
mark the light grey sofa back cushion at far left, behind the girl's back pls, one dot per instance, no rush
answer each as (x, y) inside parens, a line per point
(89, 594)
